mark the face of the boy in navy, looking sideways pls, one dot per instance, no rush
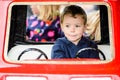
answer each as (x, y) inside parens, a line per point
(73, 27)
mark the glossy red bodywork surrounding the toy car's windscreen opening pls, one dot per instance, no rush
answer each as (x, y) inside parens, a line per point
(111, 68)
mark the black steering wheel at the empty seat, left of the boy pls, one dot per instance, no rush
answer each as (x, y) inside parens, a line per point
(33, 49)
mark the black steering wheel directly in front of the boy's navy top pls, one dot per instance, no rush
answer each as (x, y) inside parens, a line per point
(93, 49)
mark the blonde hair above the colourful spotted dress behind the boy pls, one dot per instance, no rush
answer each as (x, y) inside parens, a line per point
(48, 12)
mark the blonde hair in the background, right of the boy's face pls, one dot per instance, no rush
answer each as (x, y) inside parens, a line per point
(93, 26)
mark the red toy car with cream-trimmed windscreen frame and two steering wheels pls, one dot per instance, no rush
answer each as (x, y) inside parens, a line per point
(25, 56)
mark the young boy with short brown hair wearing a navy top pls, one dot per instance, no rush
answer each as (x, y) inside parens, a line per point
(73, 24)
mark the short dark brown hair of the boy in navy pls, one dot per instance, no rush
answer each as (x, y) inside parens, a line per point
(74, 10)
